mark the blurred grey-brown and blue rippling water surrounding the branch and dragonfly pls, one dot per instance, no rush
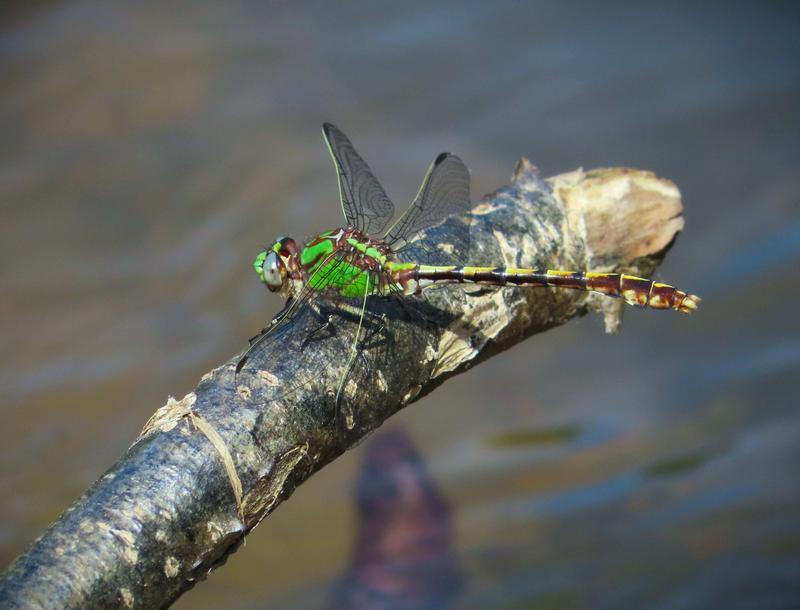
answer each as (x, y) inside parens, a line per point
(148, 150)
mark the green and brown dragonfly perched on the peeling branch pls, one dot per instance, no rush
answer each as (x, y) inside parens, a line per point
(349, 268)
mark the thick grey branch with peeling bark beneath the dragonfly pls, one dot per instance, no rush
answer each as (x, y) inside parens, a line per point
(208, 468)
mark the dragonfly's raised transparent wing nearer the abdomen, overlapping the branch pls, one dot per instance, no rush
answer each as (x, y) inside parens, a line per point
(435, 228)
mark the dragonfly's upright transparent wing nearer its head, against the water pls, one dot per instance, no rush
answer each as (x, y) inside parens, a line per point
(364, 202)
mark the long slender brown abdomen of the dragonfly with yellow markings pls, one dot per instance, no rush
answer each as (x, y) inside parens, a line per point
(635, 290)
